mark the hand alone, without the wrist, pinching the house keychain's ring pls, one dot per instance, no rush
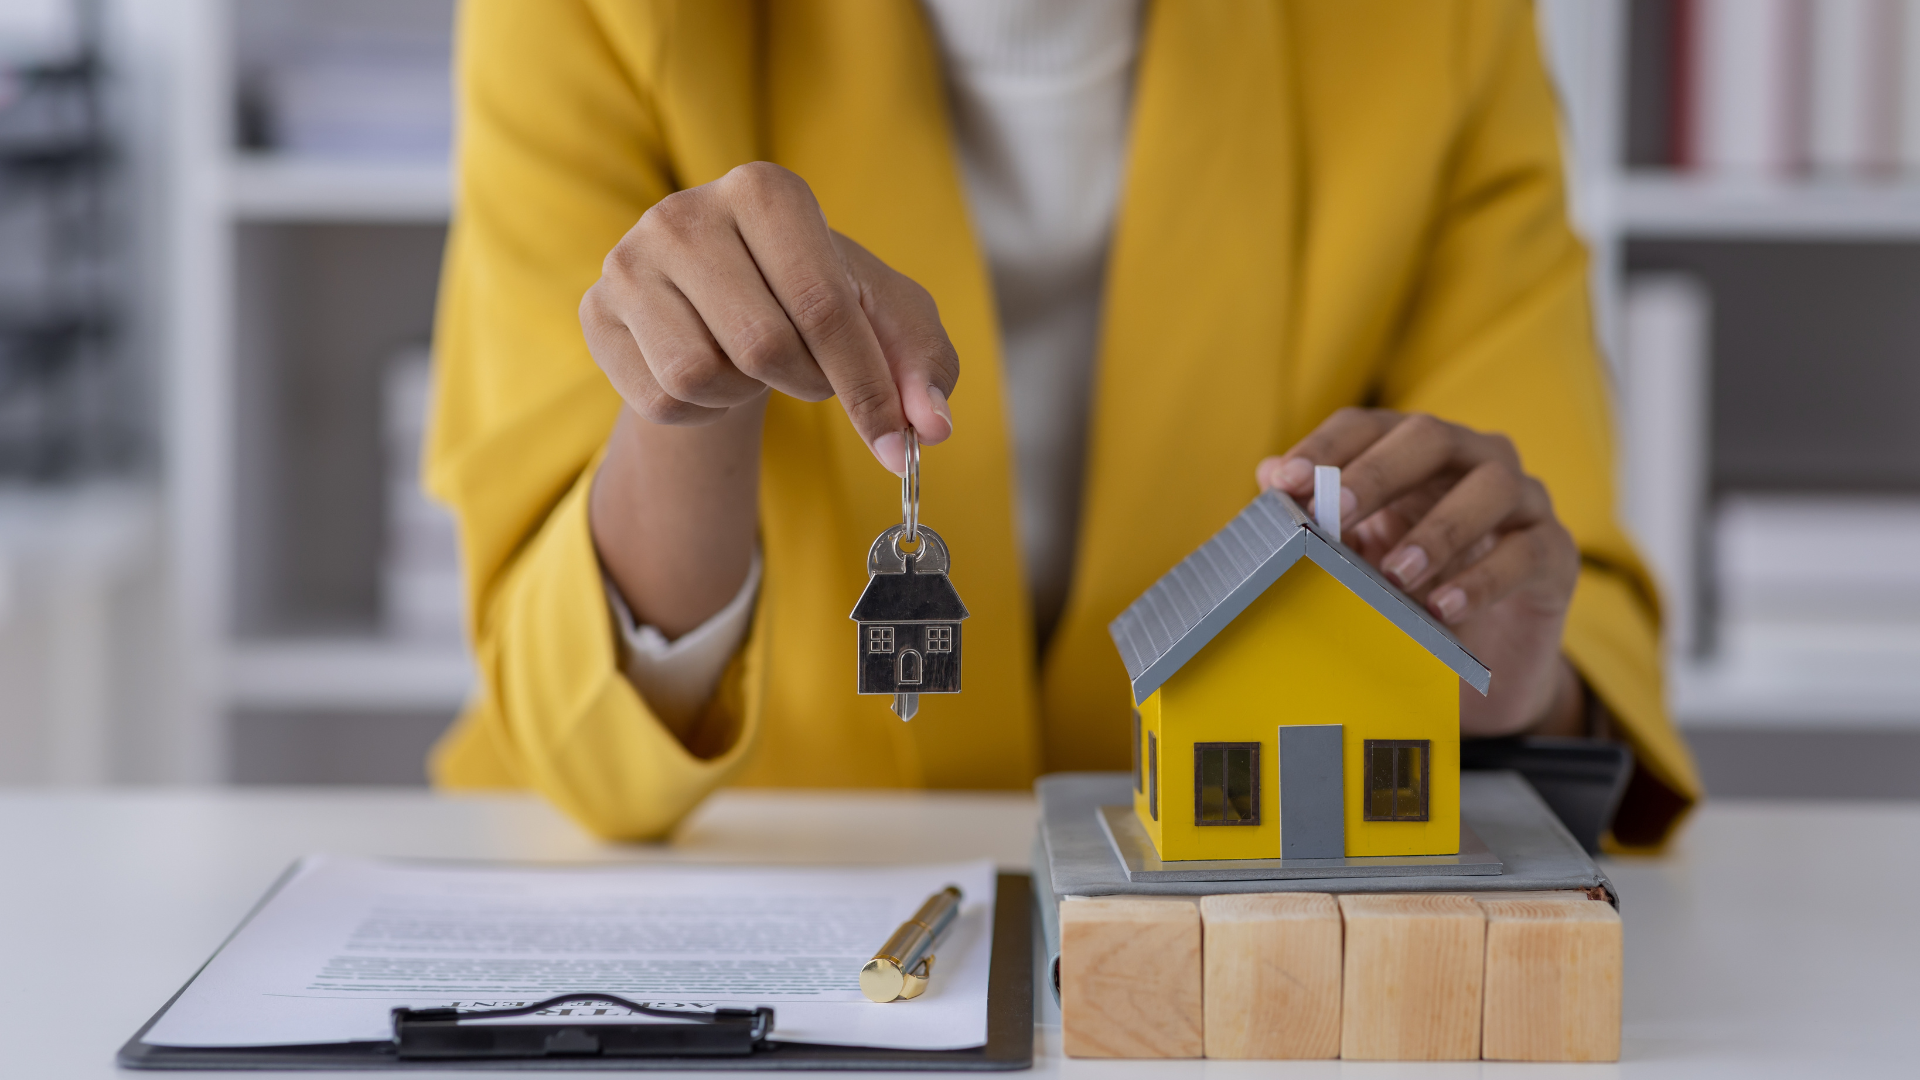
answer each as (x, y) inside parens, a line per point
(738, 285)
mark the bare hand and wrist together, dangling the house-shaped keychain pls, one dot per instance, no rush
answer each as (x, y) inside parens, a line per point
(715, 297)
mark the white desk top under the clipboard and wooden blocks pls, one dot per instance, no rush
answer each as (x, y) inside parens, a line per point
(1735, 968)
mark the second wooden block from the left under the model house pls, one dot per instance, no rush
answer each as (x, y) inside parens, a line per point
(1272, 975)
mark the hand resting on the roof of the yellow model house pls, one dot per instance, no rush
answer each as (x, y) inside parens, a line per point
(1452, 518)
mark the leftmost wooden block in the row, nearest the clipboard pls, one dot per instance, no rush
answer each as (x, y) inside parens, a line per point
(1130, 977)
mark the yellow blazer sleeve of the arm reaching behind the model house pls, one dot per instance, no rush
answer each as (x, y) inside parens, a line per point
(1500, 339)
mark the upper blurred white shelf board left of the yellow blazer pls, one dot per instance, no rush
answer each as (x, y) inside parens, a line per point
(266, 187)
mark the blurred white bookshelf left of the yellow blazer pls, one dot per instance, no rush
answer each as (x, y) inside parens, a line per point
(310, 205)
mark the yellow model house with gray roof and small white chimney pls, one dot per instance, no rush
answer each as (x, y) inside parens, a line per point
(1291, 702)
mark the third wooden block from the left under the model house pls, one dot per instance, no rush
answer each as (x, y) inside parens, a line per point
(1412, 979)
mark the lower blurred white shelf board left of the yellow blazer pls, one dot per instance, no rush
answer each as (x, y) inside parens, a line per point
(348, 674)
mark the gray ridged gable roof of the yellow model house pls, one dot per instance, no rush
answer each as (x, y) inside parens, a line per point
(1174, 620)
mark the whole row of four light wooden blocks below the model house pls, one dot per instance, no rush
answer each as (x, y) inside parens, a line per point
(1391, 977)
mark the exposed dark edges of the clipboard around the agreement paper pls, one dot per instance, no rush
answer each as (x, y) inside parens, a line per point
(1009, 1029)
